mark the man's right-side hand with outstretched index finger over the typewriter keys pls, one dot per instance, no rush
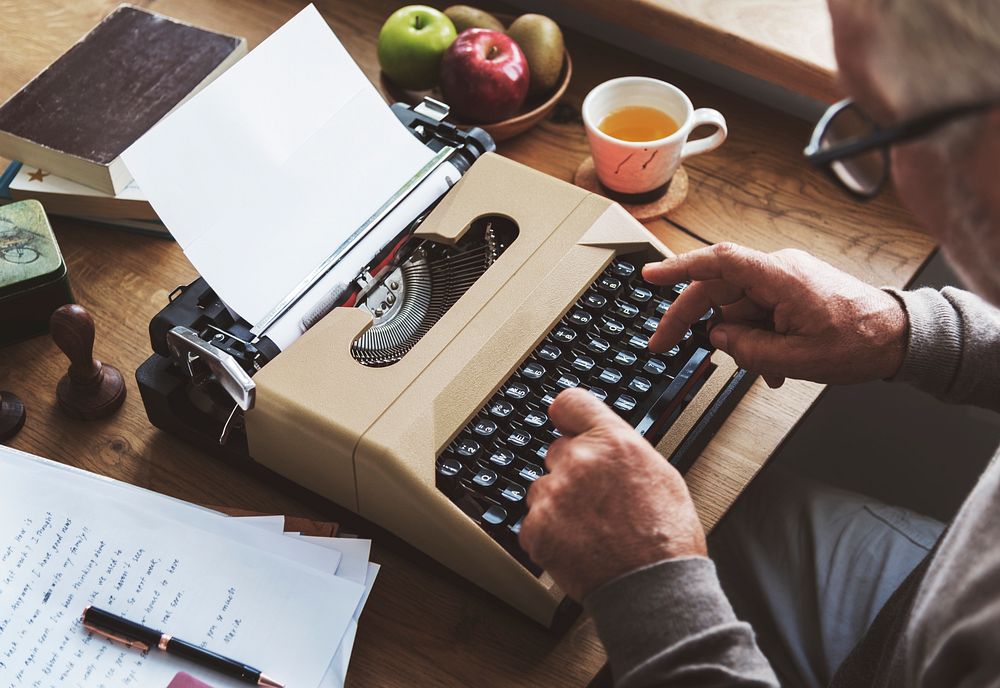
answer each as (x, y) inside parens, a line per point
(784, 314)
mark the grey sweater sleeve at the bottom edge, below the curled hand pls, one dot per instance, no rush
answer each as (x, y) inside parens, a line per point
(670, 624)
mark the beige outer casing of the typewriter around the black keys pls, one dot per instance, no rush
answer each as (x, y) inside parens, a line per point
(367, 438)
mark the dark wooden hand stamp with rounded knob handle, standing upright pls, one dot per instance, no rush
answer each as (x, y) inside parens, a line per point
(90, 389)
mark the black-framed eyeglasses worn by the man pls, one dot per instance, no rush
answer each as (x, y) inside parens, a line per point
(880, 138)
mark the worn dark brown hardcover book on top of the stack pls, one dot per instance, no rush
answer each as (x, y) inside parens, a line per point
(108, 90)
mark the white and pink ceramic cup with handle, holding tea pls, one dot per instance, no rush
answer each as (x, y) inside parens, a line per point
(628, 167)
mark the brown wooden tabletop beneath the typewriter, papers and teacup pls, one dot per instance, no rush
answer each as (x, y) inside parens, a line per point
(424, 625)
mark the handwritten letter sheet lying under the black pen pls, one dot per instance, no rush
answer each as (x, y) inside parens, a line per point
(64, 544)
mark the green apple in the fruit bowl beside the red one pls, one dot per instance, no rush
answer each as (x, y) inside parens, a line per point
(411, 44)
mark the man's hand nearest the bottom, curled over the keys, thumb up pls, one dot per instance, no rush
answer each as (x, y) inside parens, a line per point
(609, 503)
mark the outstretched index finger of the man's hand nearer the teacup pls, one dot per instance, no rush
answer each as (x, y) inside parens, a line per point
(754, 271)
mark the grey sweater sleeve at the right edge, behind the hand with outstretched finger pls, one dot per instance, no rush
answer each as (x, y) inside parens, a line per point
(953, 346)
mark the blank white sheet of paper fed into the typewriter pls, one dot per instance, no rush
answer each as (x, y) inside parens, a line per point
(294, 148)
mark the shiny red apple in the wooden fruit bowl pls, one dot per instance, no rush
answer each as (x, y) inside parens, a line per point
(484, 76)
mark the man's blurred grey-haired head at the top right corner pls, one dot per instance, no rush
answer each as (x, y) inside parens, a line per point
(901, 58)
